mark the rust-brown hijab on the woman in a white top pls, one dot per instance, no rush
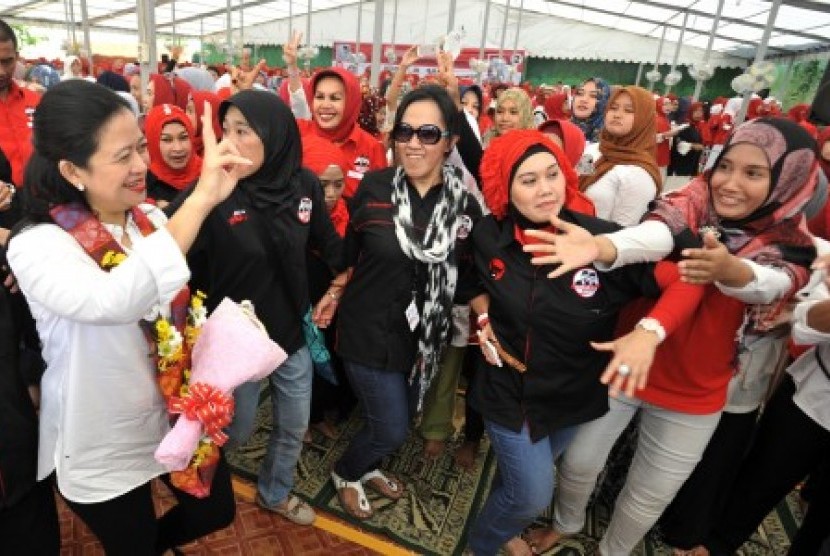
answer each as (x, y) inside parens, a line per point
(638, 147)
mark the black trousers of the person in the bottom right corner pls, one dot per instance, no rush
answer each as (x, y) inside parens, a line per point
(789, 445)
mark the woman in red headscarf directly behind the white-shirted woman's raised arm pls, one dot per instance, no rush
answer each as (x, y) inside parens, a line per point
(174, 166)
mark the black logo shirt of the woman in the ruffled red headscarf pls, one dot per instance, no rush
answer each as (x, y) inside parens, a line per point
(548, 325)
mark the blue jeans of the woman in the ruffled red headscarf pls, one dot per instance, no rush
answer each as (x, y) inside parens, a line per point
(522, 487)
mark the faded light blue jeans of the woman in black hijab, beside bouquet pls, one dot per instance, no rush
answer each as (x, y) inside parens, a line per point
(290, 387)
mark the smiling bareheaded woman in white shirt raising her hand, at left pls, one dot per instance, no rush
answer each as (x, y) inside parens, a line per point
(93, 260)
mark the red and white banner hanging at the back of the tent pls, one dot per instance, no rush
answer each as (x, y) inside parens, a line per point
(509, 67)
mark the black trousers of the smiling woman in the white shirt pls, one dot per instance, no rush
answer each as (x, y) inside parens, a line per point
(127, 525)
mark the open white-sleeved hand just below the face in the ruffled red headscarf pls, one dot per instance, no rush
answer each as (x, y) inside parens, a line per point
(571, 248)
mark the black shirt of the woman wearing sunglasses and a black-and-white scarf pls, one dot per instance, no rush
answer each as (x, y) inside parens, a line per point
(372, 325)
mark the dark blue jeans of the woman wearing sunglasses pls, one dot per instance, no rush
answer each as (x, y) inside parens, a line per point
(384, 397)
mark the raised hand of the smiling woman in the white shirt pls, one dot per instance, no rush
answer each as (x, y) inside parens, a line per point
(222, 165)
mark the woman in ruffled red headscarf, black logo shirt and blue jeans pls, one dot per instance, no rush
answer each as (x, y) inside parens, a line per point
(540, 331)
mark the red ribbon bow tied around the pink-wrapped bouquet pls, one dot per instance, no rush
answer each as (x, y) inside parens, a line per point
(207, 404)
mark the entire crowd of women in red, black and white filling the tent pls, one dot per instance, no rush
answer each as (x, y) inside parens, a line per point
(593, 259)
